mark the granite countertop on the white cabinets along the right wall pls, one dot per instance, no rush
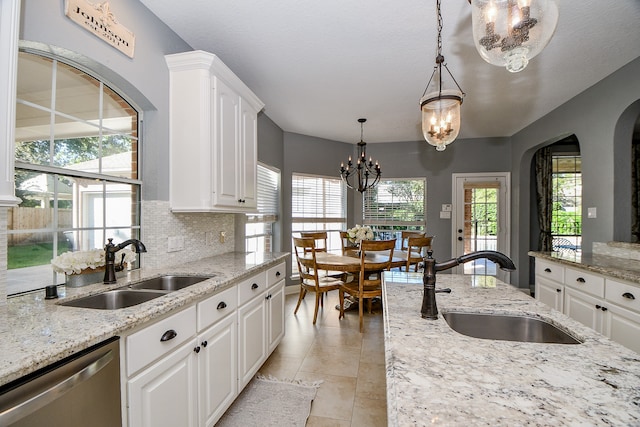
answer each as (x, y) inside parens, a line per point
(619, 268)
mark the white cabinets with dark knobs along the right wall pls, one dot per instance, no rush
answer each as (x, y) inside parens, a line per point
(608, 306)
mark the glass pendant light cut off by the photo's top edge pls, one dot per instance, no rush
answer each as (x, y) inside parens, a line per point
(511, 32)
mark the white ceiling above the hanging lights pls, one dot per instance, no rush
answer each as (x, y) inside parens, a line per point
(320, 65)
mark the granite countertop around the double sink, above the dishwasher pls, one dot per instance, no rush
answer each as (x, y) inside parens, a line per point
(36, 332)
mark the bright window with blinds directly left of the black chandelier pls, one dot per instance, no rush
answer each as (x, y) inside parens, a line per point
(319, 204)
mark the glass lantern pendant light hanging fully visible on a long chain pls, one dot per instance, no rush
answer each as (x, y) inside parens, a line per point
(441, 108)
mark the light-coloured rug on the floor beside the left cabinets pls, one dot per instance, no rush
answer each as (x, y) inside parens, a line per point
(268, 401)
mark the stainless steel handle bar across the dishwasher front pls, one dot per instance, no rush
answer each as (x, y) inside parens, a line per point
(50, 394)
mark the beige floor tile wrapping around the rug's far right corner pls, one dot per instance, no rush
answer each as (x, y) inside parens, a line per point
(335, 396)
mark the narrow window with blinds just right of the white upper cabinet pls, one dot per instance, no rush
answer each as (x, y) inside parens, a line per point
(259, 227)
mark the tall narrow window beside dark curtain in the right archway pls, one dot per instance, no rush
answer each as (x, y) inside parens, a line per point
(566, 219)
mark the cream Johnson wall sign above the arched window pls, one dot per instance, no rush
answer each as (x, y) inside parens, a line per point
(100, 21)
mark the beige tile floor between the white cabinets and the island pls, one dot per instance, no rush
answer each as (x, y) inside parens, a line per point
(350, 364)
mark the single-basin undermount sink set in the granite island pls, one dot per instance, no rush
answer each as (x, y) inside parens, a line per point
(507, 328)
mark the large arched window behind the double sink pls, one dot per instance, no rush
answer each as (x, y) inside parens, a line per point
(76, 169)
